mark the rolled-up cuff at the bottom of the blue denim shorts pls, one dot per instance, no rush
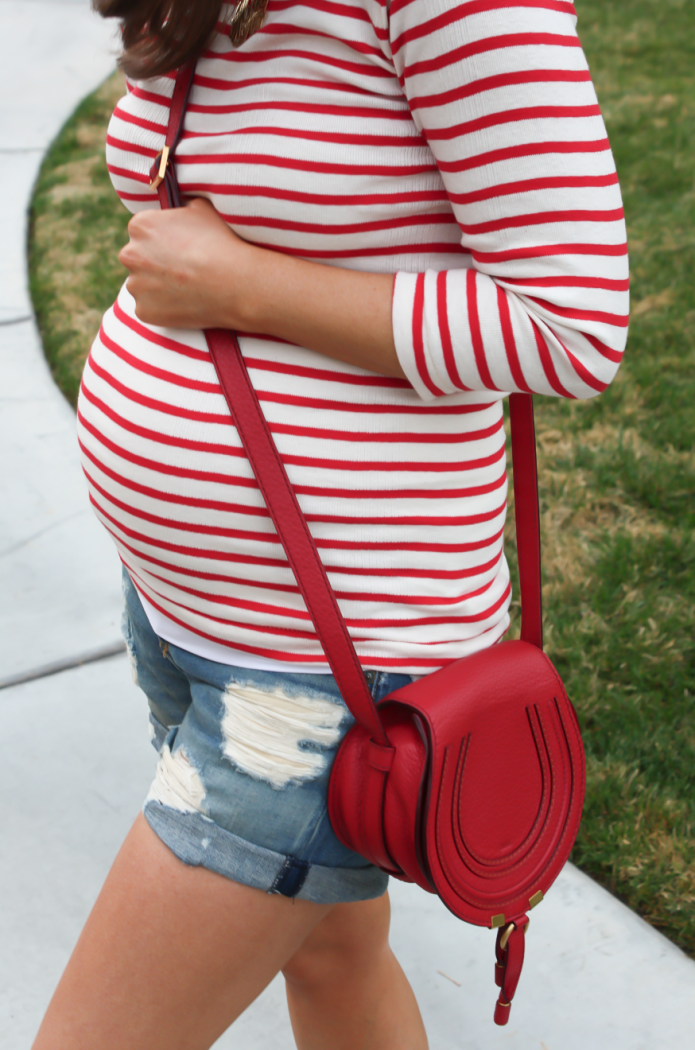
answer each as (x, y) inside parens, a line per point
(199, 842)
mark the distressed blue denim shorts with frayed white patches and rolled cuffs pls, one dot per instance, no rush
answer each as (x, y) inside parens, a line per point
(245, 761)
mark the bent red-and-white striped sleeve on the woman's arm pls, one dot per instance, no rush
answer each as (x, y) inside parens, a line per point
(503, 95)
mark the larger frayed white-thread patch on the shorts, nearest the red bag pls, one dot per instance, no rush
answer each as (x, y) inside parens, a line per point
(263, 733)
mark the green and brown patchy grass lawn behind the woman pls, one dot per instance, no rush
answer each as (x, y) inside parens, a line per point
(618, 473)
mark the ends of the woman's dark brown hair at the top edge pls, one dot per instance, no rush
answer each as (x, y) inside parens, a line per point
(160, 36)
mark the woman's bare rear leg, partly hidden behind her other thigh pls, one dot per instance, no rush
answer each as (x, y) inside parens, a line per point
(346, 990)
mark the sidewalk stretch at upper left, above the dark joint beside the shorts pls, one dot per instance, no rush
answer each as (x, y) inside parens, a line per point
(59, 577)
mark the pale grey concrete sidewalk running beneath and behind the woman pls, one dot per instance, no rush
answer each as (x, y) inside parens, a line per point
(78, 762)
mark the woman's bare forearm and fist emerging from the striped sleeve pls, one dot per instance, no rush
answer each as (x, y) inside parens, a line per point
(189, 270)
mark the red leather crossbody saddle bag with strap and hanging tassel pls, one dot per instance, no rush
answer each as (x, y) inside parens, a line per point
(471, 781)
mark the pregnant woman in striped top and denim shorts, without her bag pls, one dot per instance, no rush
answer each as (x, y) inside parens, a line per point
(407, 209)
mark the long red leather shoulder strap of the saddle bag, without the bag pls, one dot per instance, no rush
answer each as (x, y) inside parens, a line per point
(282, 502)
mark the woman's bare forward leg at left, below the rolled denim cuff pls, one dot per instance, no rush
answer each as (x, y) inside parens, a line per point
(171, 955)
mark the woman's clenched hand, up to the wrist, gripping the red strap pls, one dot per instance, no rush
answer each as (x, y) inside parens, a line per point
(188, 269)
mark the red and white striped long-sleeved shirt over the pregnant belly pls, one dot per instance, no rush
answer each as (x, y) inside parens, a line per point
(457, 143)
